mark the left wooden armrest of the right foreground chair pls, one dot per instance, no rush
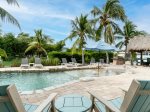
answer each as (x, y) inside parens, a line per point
(108, 105)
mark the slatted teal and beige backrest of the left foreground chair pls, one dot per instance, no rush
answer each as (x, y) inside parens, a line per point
(10, 100)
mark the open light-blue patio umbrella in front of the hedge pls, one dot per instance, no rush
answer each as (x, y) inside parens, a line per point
(102, 46)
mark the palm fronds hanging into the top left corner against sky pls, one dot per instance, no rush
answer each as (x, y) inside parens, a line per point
(6, 16)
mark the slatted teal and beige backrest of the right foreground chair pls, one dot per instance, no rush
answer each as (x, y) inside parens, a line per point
(137, 99)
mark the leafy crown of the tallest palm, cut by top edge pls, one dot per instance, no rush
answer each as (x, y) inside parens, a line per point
(105, 18)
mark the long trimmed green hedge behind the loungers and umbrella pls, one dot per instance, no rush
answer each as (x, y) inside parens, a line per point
(78, 56)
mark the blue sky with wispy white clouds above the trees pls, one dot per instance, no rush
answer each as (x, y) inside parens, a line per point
(54, 16)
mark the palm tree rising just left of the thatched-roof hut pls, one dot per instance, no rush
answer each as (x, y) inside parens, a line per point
(129, 31)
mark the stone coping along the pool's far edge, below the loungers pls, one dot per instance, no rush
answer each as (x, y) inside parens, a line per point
(46, 69)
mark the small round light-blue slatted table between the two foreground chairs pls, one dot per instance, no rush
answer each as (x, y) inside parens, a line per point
(73, 103)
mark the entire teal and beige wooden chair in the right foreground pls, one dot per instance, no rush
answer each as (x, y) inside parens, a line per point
(136, 99)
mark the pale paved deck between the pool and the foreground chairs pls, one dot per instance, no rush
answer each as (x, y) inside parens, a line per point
(107, 86)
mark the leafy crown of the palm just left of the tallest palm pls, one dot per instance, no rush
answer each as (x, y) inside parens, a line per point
(81, 30)
